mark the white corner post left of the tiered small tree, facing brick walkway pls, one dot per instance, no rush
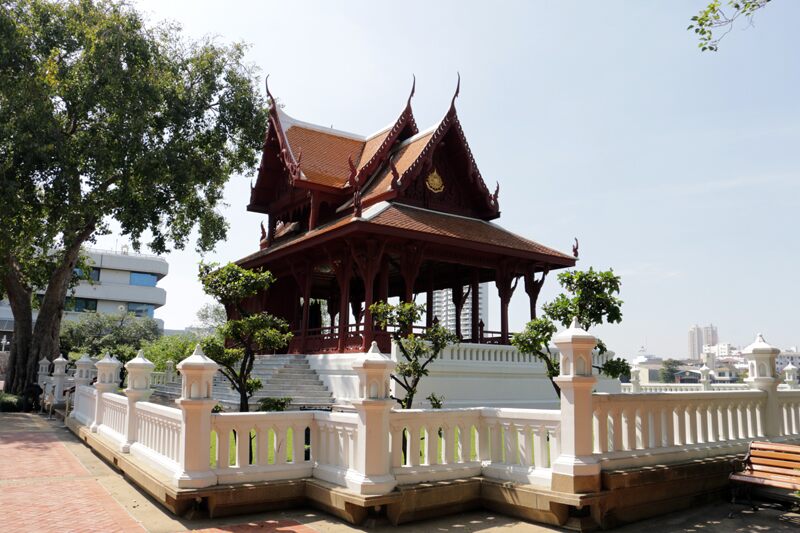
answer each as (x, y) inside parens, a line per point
(196, 403)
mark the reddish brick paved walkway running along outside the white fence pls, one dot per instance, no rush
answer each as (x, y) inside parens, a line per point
(51, 482)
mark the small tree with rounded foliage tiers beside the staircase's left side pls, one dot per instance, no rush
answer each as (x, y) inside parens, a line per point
(246, 334)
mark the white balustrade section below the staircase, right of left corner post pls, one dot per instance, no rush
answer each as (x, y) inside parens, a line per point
(261, 446)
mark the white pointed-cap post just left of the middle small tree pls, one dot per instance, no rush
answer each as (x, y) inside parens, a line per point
(371, 473)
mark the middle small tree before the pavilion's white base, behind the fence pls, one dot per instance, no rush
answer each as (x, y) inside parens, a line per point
(418, 351)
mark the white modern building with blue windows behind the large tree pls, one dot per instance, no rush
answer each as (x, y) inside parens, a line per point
(119, 281)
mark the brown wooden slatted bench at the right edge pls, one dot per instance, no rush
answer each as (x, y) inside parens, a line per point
(772, 468)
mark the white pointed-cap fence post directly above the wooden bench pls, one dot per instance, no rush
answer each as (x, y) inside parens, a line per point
(761, 364)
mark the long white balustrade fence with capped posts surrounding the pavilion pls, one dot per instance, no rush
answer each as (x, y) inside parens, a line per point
(376, 448)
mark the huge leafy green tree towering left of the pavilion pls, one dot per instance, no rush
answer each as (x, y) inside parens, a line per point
(105, 118)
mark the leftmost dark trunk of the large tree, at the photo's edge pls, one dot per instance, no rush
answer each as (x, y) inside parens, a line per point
(21, 368)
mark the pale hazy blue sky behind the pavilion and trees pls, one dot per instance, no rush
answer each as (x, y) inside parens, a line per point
(600, 120)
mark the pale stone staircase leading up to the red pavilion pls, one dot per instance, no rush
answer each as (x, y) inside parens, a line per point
(282, 376)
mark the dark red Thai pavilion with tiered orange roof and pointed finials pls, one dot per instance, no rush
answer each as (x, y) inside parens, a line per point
(354, 220)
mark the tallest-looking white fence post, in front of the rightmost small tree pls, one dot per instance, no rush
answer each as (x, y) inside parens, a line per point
(576, 470)
